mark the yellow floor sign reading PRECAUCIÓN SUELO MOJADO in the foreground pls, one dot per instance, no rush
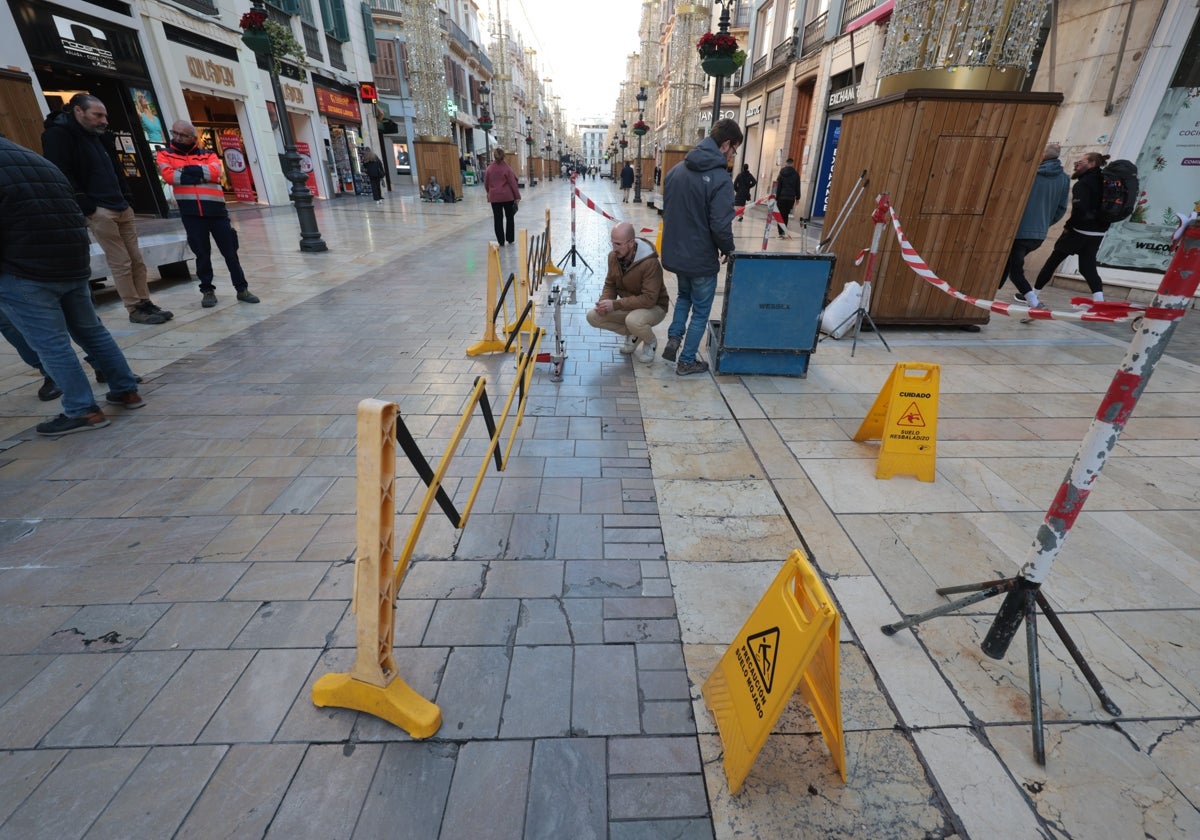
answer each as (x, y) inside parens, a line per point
(789, 643)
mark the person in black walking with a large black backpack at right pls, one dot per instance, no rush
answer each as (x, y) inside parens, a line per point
(1101, 196)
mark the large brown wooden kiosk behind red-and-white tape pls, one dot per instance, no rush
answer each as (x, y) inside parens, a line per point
(958, 166)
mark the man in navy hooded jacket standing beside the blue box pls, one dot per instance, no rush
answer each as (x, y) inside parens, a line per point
(698, 237)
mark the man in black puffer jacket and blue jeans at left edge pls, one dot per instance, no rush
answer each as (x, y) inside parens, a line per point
(45, 268)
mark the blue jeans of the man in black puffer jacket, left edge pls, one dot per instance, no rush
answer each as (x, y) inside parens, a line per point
(50, 315)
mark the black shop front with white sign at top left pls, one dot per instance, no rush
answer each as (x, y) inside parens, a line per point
(73, 53)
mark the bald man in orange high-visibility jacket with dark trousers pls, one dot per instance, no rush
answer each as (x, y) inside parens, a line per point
(195, 175)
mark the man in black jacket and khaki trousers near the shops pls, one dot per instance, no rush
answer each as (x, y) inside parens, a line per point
(77, 142)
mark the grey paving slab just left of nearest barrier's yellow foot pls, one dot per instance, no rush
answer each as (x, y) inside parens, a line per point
(262, 697)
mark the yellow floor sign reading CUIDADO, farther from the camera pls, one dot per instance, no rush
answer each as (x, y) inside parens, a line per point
(904, 419)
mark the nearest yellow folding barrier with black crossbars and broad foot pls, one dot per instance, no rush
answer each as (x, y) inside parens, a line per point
(374, 683)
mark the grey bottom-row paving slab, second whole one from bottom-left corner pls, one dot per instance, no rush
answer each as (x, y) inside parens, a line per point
(177, 775)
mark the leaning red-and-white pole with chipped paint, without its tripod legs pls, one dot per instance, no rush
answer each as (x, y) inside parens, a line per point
(1171, 304)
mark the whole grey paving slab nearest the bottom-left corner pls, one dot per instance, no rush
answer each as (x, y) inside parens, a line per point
(73, 795)
